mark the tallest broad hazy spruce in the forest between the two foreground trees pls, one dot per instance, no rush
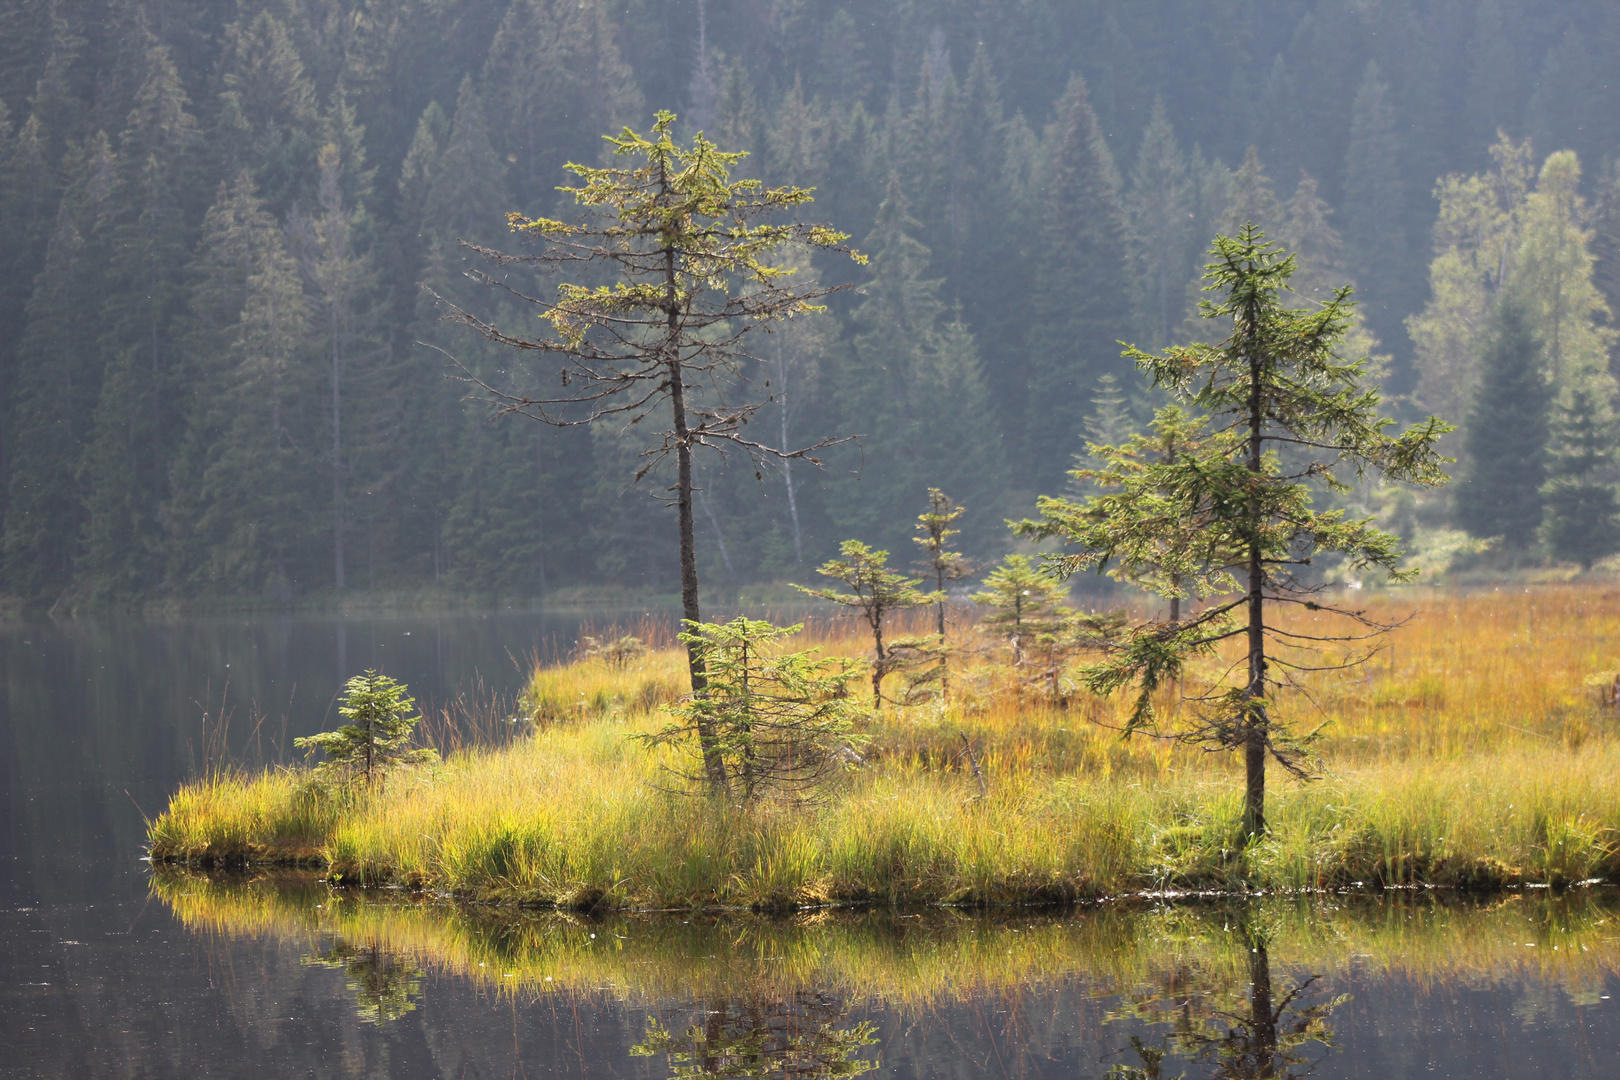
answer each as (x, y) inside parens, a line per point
(1080, 300)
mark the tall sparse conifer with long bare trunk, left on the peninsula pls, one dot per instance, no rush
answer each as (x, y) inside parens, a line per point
(697, 263)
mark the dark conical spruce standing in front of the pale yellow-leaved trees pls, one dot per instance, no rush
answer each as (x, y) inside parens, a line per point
(1506, 435)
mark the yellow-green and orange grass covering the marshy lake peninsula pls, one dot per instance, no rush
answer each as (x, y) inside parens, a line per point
(1475, 752)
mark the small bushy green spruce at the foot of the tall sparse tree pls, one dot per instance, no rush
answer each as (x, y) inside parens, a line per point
(782, 723)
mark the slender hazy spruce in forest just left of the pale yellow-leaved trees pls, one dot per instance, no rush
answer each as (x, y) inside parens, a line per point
(1375, 205)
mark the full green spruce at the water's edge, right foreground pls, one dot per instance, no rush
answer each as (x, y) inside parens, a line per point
(1234, 514)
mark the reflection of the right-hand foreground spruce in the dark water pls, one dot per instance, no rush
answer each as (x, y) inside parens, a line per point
(1242, 1037)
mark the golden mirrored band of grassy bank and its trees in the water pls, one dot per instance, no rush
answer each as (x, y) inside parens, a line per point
(1232, 989)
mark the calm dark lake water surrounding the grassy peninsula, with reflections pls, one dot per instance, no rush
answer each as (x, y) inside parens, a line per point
(109, 972)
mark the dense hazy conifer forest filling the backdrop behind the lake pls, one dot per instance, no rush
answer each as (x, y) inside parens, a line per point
(218, 367)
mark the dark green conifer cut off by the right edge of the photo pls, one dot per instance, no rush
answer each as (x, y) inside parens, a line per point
(1582, 508)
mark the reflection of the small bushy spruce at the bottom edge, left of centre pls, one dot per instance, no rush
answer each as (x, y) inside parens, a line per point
(793, 1037)
